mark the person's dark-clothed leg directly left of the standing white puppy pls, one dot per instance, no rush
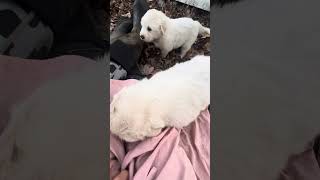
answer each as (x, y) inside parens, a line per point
(126, 46)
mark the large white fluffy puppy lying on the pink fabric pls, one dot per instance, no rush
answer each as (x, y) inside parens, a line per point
(171, 98)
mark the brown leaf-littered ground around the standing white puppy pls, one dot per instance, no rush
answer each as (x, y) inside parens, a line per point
(151, 56)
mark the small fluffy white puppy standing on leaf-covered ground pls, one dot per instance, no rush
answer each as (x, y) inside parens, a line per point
(168, 34)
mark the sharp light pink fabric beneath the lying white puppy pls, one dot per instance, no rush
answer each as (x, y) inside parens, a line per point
(174, 154)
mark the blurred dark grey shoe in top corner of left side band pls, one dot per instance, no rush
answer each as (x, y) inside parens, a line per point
(22, 33)
